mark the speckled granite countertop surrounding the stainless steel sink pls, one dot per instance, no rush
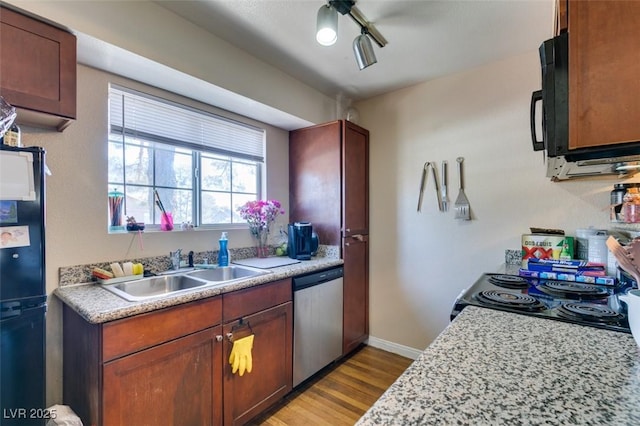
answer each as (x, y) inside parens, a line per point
(97, 305)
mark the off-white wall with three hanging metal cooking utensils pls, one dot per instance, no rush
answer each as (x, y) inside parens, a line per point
(419, 262)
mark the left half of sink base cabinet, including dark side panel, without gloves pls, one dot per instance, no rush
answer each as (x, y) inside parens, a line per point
(161, 367)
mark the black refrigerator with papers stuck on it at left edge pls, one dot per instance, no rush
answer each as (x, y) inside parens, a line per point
(22, 286)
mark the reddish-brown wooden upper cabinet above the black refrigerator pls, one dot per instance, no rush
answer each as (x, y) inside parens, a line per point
(37, 70)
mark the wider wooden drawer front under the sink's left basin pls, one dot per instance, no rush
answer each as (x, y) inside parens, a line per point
(132, 334)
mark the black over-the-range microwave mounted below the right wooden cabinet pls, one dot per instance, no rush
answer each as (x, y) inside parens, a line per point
(563, 163)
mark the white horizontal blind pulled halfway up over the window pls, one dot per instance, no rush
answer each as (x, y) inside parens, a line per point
(141, 115)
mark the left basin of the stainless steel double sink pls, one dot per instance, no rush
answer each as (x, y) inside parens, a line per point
(148, 288)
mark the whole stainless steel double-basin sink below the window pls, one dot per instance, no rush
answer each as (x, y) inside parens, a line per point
(181, 282)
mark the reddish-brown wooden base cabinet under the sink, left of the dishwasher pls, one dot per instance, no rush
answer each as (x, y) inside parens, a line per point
(171, 366)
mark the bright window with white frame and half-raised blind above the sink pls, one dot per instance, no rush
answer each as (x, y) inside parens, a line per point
(203, 166)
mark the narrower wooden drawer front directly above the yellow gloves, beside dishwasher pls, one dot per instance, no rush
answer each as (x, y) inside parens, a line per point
(251, 300)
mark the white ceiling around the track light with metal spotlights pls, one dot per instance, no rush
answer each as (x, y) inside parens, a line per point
(426, 38)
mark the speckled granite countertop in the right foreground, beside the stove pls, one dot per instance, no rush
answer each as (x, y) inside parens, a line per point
(498, 368)
